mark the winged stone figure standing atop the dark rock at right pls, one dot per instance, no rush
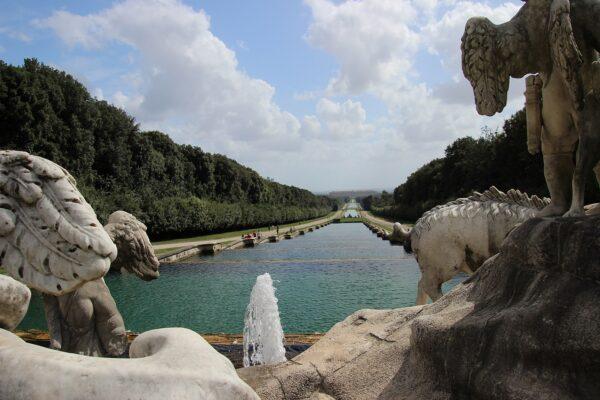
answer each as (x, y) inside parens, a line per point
(559, 42)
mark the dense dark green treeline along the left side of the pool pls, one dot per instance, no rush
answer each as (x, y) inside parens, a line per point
(176, 190)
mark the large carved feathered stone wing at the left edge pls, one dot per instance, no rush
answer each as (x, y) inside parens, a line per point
(50, 238)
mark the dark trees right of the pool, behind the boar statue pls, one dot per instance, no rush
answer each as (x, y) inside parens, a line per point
(500, 159)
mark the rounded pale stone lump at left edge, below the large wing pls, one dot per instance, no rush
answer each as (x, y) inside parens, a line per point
(14, 301)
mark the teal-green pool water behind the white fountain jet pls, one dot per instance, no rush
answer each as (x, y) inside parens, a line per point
(321, 278)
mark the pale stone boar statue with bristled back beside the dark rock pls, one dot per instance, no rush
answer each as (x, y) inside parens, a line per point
(460, 235)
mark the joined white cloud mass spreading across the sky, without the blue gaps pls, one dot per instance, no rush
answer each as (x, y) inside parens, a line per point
(398, 57)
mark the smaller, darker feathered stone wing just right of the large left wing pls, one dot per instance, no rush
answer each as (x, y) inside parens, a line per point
(135, 252)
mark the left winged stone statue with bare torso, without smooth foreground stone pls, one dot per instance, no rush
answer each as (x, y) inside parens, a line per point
(52, 241)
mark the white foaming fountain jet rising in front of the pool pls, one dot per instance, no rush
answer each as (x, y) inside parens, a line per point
(263, 336)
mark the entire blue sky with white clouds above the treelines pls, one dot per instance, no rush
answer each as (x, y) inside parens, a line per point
(322, 94)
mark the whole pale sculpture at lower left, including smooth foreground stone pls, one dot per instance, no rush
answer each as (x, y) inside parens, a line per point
(52, 241)
